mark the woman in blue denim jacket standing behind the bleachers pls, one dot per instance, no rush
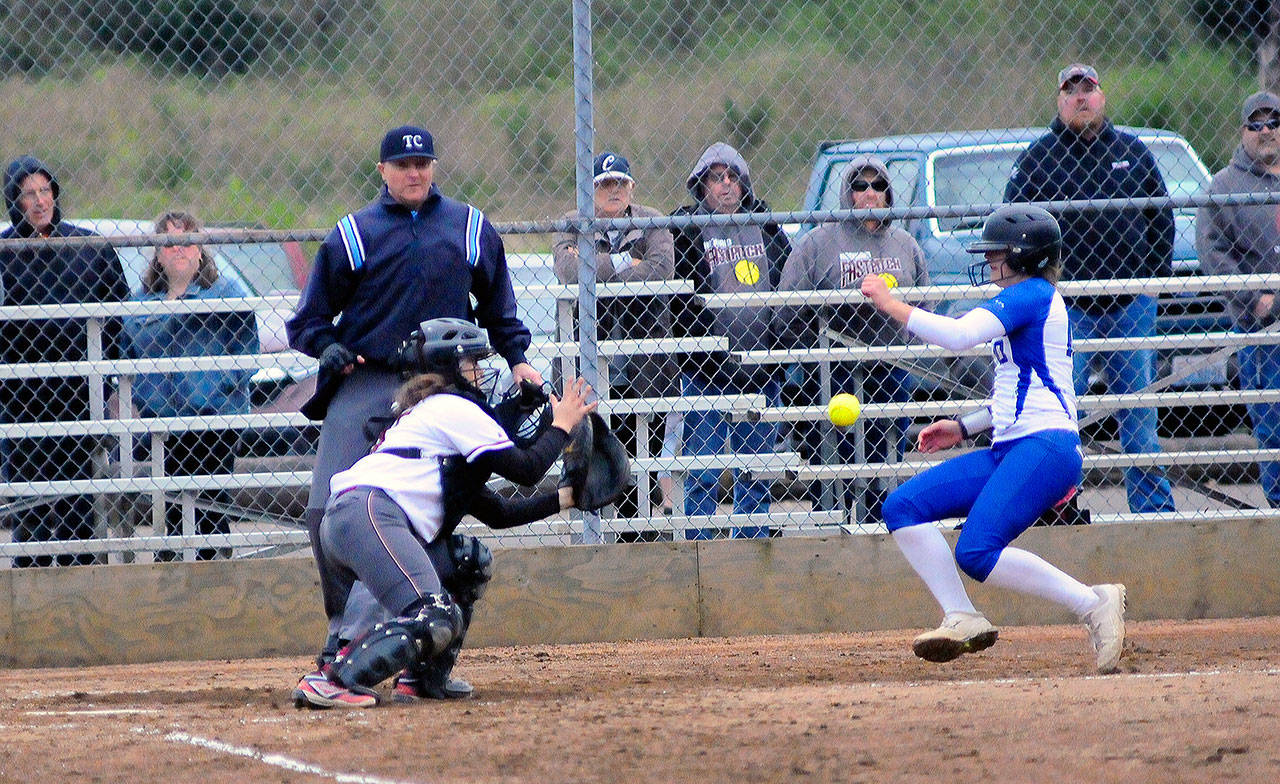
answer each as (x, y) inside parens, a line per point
(189, 272)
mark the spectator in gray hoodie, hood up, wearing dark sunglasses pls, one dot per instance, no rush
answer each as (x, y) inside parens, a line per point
(836, 257)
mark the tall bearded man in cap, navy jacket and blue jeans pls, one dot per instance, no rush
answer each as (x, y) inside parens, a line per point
(1085, 157)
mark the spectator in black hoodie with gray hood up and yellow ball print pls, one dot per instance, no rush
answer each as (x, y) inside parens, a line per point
(728, 259)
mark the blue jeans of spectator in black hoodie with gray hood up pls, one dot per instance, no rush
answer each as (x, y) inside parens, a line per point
(708, 434)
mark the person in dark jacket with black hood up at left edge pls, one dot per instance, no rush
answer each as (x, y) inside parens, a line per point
(51, 276)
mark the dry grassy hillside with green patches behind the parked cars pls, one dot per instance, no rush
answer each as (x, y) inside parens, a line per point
(294, 144)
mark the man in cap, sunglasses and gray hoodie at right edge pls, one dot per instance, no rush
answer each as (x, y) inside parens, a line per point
(1246, 240)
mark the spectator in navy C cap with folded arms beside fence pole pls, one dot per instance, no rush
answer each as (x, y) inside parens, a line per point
(628, 256)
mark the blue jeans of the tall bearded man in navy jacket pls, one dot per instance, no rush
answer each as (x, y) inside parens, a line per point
(1128, 372)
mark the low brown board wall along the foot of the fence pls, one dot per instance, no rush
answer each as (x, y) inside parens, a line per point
(88, 616)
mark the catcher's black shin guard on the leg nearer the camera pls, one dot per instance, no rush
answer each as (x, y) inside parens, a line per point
(399, 644)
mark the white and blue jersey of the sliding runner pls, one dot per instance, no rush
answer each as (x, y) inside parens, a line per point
(1034, 389)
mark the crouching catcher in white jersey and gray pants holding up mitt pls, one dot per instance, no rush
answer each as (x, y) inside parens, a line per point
(391, 518)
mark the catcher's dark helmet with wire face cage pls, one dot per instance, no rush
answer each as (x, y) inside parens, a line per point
(441, 347)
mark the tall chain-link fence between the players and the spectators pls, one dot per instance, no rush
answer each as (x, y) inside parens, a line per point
(147, 396)
